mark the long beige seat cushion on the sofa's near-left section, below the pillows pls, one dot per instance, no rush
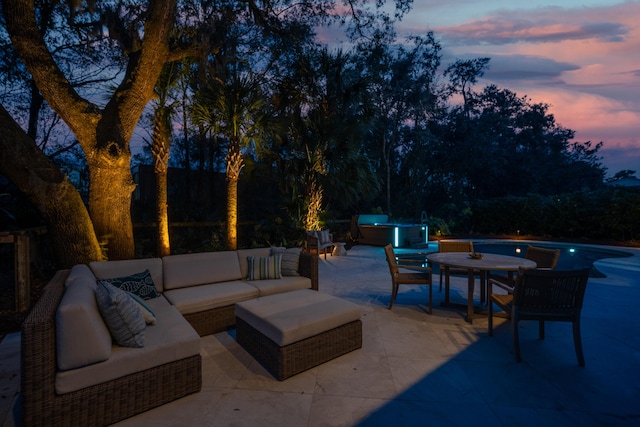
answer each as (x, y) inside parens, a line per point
(171, 338)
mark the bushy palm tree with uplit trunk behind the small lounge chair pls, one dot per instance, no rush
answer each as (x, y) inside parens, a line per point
(321, 101)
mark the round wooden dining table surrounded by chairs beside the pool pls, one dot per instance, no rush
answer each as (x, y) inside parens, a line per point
(488, 262)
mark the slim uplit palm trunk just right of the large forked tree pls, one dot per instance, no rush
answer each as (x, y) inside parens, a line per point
(160, 149)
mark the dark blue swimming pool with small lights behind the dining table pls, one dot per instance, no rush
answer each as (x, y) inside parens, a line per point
(572, 256)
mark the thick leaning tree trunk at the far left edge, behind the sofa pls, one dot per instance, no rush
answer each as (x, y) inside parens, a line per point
(70, 228)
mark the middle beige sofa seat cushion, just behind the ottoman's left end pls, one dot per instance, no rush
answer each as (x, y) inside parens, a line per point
(195, 299)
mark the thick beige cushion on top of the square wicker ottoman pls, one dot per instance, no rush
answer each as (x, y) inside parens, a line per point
(293, 316)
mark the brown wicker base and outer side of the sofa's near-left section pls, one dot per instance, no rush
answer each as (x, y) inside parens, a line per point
(97, 405)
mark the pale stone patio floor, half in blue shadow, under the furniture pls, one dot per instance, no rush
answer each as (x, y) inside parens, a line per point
(416, 369)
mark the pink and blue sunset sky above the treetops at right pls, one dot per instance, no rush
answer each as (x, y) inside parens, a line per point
(582, 58)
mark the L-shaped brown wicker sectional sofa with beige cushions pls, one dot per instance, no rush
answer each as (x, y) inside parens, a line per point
(73, 373)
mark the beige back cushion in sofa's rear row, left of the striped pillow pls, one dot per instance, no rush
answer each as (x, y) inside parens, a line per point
(200, 268)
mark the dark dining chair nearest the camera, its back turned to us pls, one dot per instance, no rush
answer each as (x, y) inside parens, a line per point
(543, 295)
